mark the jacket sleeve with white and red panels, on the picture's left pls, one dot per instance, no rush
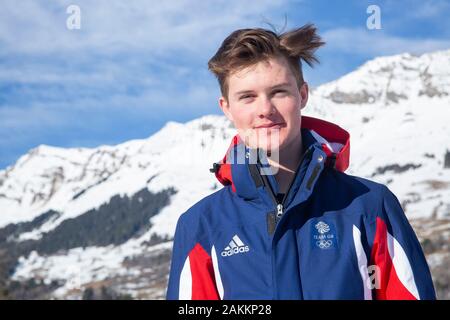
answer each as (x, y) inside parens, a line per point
(191, 275)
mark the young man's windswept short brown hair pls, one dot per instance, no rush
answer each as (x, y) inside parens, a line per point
(246, 47)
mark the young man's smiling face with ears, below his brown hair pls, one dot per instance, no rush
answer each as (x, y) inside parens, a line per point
(264, 104)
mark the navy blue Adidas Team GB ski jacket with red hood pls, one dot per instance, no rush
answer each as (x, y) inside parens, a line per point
(332, 236)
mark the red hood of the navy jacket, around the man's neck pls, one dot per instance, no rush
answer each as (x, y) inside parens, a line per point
(335, 142)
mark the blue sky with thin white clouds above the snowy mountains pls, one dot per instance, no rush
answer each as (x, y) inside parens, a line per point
(134, 65)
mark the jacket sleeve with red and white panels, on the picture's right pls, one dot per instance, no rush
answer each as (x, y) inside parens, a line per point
(402, 272)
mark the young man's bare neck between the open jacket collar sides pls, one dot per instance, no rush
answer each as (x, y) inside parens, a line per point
(287, 164)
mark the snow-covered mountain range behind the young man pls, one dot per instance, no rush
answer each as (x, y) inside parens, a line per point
(77, 221)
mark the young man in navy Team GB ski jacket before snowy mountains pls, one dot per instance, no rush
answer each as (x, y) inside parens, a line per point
(302, 229)
